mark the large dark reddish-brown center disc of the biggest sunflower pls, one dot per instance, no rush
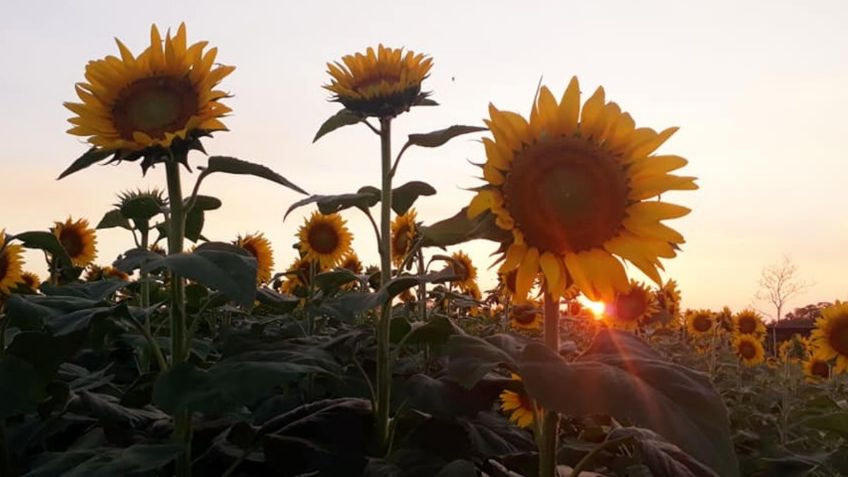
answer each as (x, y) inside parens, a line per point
(566, 195)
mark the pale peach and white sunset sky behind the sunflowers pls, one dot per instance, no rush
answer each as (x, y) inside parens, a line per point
(758, 89)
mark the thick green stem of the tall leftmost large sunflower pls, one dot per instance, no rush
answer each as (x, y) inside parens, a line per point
(176, 235)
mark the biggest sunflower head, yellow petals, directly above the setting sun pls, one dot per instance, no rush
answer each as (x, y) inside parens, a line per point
(573, 186)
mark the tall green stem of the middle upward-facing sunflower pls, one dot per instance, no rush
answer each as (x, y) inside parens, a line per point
(384, 362)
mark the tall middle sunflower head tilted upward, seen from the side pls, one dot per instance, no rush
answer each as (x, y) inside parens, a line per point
(384, 83)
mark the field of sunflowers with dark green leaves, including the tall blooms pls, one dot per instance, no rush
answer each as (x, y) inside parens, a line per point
(198, 355)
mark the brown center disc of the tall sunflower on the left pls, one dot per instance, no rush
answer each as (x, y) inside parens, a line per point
(155, 106)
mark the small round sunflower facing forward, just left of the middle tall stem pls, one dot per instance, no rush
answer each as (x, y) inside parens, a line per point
(324, 239)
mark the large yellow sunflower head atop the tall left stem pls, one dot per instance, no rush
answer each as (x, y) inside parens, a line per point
(164, 94)
